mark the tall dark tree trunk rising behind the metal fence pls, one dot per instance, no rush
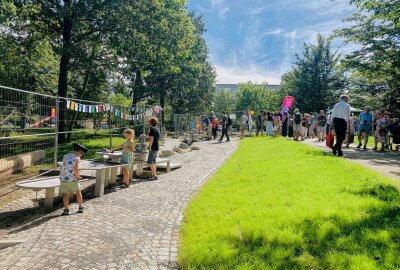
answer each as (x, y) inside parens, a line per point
(64, 67)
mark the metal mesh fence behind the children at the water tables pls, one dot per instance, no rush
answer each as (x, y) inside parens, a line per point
(36, 130)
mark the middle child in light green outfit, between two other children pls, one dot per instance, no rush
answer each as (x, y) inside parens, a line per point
(127, 154)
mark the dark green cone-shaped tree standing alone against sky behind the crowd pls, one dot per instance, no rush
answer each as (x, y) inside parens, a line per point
(315, 81)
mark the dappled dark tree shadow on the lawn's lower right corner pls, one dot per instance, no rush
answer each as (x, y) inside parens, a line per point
(328, 243)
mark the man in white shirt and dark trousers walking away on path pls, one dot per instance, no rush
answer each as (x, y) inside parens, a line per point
(340, 113)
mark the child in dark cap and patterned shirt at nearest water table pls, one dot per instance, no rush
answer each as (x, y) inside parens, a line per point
(69, 176)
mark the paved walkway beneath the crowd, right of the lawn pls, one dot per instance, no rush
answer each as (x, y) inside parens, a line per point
(386, 163)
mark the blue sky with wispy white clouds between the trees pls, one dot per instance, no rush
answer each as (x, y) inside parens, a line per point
(256, 39)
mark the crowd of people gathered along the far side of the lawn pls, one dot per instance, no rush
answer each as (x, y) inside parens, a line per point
(340, 121)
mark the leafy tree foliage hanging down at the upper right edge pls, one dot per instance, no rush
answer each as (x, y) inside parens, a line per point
(375, 65)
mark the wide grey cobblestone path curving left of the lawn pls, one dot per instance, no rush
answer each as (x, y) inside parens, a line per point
(135, 228)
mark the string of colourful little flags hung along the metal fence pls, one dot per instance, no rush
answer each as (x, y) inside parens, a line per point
(140, 113)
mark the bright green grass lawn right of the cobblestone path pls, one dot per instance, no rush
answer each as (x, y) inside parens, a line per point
(279, 204)
